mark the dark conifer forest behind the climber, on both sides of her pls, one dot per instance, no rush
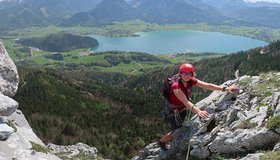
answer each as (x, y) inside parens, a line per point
(116, 112)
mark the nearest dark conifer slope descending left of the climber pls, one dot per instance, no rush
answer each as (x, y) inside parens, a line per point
(61, 113)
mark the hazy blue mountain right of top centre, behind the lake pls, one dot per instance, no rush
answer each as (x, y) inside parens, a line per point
(175, 11)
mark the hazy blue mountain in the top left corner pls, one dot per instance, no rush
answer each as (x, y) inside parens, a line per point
(26, 13)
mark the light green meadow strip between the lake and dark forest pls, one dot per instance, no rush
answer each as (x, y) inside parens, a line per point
(101, 63)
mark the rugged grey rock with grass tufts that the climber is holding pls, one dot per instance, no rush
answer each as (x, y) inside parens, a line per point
(240, 124)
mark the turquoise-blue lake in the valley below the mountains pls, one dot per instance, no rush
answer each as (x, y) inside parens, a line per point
(177, 41)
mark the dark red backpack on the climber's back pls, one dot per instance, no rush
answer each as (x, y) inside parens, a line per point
(167, 86)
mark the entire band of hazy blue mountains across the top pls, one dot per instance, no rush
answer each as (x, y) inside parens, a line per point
(25, 13)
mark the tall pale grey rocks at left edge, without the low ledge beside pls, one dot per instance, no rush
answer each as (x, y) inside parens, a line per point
(17, 140)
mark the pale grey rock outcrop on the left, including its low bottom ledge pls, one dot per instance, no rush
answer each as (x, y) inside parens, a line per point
(17, 140)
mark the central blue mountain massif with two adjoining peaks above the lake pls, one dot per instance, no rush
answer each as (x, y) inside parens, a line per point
(155, 11)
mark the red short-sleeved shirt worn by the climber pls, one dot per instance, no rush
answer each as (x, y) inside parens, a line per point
(173, 100)
